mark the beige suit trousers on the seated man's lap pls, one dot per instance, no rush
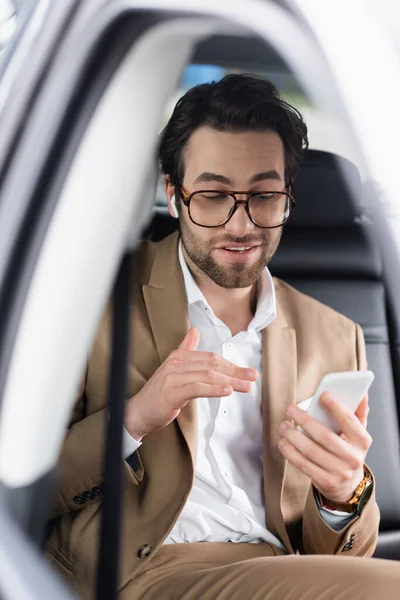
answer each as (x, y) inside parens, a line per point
(228, 571)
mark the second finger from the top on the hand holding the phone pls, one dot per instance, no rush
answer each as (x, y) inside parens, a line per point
(326, 438)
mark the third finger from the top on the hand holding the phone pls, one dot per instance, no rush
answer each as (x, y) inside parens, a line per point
(311, 450)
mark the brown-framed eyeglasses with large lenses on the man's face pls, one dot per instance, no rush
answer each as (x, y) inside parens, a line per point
(213, 208)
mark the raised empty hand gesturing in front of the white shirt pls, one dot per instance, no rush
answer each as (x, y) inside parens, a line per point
(186, 374)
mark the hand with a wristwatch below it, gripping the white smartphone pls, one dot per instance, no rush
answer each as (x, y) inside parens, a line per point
(333, 462)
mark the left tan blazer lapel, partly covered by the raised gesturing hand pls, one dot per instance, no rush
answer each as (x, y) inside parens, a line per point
(166, 305)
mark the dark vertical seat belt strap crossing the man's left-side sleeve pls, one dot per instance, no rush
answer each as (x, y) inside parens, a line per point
(110, 529)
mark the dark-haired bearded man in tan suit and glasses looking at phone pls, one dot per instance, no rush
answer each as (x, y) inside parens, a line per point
(222, 492)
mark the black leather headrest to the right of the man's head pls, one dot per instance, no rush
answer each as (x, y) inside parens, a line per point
(325, 236)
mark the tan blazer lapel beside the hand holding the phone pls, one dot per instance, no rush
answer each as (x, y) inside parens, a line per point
(279, 374)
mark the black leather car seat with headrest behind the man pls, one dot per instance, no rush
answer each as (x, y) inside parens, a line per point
(328, 251)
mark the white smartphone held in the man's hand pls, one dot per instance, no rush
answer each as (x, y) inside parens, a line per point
(349, 387)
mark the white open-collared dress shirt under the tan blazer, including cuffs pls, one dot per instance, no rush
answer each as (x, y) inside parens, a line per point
(226, 502)
